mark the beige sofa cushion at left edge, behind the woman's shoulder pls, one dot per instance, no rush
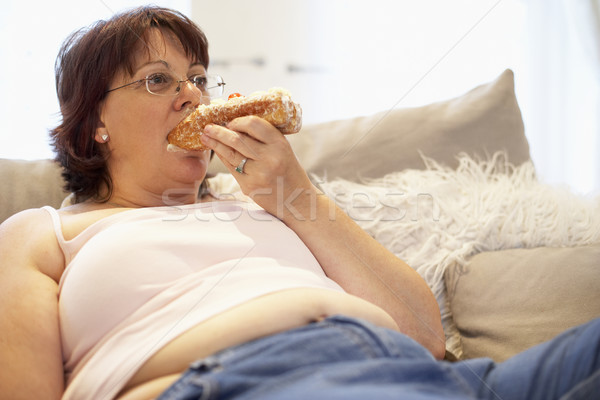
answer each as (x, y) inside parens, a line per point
(29, 184)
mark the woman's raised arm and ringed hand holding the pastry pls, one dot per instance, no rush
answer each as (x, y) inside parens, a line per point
(275, 180)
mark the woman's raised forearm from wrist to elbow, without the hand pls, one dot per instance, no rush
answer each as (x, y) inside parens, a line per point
(365, 268)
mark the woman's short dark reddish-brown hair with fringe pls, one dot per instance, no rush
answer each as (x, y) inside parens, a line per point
(86, 64)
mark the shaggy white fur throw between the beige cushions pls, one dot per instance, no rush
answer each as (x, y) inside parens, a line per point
(439, 217)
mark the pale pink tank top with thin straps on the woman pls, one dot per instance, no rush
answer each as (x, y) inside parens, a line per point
(137, 279)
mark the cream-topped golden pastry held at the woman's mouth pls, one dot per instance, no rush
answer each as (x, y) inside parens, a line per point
(275, 106)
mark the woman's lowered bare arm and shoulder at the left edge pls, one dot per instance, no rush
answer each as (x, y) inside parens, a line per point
(29, 336)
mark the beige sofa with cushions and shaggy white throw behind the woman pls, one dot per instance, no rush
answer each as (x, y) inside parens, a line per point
(450, 188)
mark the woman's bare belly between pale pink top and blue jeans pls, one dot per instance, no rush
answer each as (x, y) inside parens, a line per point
(263, 316)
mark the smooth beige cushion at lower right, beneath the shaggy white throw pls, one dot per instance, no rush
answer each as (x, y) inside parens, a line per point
(506, 301)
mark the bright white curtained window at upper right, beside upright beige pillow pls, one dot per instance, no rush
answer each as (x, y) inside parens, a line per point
(561, 99)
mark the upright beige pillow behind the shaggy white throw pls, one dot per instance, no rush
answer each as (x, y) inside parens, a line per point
(479, 123)
